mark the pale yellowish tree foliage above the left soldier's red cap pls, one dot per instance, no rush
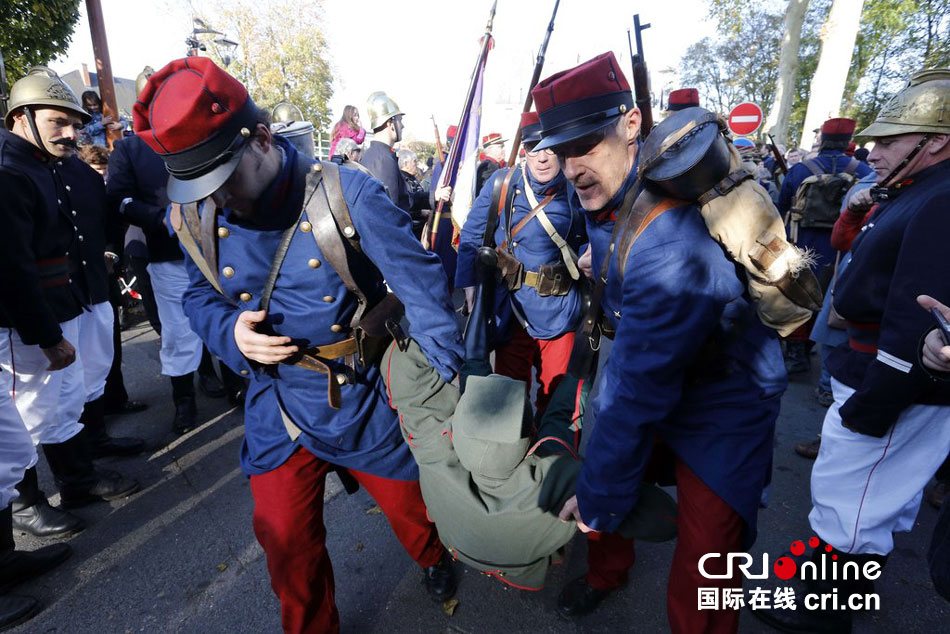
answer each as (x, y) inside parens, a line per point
(281, 55)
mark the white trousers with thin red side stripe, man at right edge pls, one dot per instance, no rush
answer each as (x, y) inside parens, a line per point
(864, 489)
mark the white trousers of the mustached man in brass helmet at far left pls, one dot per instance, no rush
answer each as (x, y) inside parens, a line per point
(50, 403)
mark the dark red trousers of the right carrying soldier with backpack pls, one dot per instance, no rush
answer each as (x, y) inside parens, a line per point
(706, 525)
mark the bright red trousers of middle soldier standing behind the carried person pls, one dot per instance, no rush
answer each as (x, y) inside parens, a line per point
(549, 356)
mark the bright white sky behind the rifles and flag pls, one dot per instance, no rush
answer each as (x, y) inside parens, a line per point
(422, 52)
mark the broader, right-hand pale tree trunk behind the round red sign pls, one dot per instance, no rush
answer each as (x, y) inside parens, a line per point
(827, 85)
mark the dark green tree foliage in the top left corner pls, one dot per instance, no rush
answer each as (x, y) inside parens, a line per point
(35, 32)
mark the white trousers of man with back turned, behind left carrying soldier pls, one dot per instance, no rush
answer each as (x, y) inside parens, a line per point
(181, 347)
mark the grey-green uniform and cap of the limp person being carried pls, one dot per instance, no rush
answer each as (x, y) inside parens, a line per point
(493, 498)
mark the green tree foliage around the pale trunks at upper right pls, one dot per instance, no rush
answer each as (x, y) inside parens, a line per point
(896, 38)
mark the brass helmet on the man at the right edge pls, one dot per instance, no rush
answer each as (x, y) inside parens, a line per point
(921, 106)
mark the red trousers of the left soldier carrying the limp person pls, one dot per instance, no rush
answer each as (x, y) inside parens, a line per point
(288, 523)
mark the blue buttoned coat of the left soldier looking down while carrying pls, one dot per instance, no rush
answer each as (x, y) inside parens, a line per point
(309, 299)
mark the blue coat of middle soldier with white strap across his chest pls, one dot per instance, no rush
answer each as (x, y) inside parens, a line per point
(544, 317)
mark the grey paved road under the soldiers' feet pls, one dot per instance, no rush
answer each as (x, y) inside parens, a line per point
(181, 557)
